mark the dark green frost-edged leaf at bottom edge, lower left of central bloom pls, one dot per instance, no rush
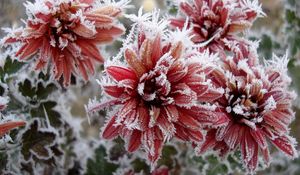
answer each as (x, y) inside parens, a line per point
(100, 165)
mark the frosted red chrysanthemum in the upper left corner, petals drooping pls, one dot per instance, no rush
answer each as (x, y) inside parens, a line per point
(66, 33)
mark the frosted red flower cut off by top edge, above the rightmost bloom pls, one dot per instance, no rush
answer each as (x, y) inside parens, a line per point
(216, 23)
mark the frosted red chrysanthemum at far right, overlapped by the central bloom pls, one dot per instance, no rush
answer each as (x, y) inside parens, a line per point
(258, 104)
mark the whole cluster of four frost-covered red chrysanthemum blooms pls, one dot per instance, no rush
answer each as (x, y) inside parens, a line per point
(191, 77)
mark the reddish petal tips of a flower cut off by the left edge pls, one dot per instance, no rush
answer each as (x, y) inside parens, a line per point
(6, 126)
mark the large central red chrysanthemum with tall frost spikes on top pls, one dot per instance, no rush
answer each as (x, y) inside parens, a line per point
(159, 92)
